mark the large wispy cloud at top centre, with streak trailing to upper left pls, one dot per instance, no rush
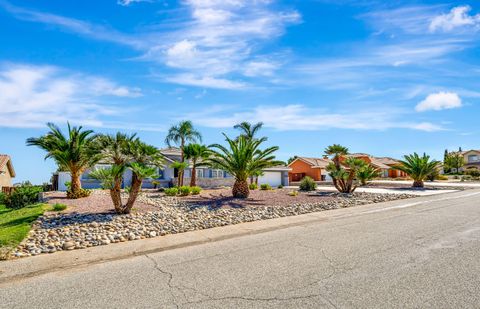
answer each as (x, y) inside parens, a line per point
(216, 41)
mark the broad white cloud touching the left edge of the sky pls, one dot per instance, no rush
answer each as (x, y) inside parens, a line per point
(30, 96)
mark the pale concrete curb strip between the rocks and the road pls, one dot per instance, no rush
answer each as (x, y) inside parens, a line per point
(33, 266)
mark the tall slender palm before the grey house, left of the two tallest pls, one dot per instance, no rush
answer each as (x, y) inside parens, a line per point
(180, 134)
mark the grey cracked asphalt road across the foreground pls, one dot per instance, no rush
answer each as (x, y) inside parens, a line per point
(411, 256)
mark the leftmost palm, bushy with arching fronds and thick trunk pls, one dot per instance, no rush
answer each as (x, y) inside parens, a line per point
(73, 152)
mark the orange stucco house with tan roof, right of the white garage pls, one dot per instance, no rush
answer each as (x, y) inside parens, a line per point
(312, 167)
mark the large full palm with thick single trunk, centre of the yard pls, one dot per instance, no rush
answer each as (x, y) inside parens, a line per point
(242, 158)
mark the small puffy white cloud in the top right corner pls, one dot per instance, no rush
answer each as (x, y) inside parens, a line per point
(458, 17)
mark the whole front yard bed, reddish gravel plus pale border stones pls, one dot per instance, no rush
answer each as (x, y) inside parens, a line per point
(169, 215)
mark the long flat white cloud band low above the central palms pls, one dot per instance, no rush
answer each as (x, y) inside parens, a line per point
(297, 117)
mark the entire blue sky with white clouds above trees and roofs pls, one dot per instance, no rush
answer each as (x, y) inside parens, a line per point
(383, 77)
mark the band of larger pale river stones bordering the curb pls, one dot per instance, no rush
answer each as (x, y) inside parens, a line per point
(57, 232)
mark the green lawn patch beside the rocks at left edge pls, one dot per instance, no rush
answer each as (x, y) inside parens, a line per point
(15, 224)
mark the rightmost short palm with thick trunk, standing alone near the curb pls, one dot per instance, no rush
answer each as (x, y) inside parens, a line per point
(418, 168)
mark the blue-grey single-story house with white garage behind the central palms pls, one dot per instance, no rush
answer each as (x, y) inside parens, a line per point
(168, 176)
